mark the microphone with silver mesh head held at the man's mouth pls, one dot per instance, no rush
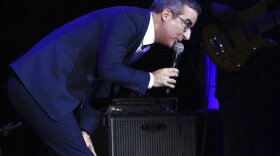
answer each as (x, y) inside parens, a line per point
(178, 49)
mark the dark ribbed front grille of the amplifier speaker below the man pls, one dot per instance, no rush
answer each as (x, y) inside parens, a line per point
(153, 136)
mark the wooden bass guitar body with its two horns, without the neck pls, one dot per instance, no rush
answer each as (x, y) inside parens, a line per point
(230, 48)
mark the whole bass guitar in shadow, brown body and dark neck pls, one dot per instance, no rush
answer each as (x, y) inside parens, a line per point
(230, 48)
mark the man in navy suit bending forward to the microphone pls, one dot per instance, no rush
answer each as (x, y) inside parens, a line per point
(52, 78)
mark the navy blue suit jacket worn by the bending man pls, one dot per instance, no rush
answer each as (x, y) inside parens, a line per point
(61, 67)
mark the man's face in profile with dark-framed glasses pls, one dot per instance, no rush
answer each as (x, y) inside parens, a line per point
(175, 30)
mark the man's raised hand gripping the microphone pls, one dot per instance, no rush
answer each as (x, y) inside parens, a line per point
(165, 77)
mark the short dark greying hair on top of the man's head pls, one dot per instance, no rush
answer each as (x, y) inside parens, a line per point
(175, 6)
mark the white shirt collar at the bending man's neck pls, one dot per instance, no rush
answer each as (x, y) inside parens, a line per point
(149, 37)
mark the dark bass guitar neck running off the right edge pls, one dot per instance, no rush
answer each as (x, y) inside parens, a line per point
(266, 21)
